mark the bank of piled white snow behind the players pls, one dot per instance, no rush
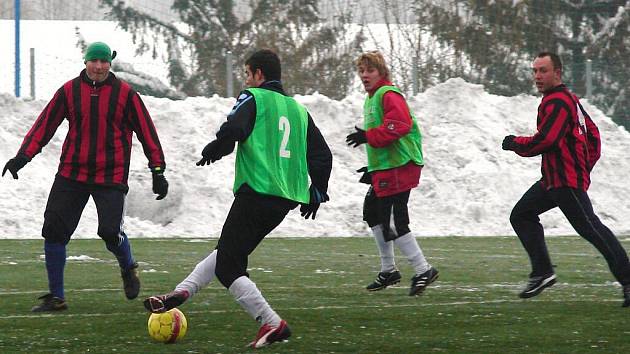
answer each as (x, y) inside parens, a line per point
(468, 186)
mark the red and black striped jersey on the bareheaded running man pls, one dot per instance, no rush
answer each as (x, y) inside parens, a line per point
(569, 142)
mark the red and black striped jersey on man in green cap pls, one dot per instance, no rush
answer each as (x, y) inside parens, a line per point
(102, 117)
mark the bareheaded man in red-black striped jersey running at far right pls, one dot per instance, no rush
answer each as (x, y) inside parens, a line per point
(569, 143)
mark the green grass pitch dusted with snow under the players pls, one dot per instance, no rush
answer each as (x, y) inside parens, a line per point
(317, 285)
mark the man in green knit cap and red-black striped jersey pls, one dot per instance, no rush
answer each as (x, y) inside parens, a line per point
(103, 113)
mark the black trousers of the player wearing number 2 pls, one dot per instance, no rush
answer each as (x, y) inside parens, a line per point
(252, 217)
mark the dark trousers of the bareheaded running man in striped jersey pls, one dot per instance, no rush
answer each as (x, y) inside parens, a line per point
(576, 207)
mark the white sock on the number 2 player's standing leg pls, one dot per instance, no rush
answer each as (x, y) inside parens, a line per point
(251, 300)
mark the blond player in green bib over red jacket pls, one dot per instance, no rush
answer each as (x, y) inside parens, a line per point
(394, 152)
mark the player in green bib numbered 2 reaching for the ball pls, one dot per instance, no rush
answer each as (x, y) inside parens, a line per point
(279, 149)
